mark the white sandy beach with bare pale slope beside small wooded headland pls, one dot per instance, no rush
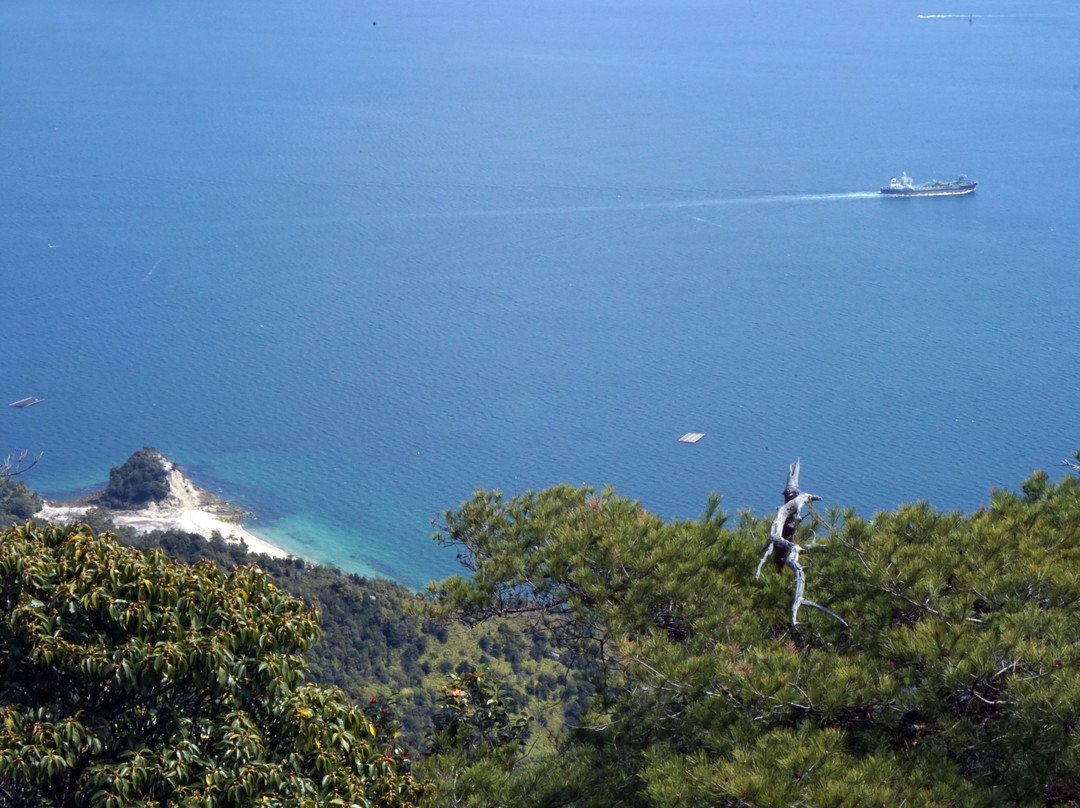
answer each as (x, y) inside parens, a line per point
(187, 508)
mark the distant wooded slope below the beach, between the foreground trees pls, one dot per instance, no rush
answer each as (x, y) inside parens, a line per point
(380, 640)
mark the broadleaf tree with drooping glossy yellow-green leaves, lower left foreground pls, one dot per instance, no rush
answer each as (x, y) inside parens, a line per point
(132, 680)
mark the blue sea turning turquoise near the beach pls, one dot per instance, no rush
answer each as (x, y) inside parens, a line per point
(347, 262)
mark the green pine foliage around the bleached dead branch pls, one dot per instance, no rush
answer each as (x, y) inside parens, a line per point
(955, 681)
